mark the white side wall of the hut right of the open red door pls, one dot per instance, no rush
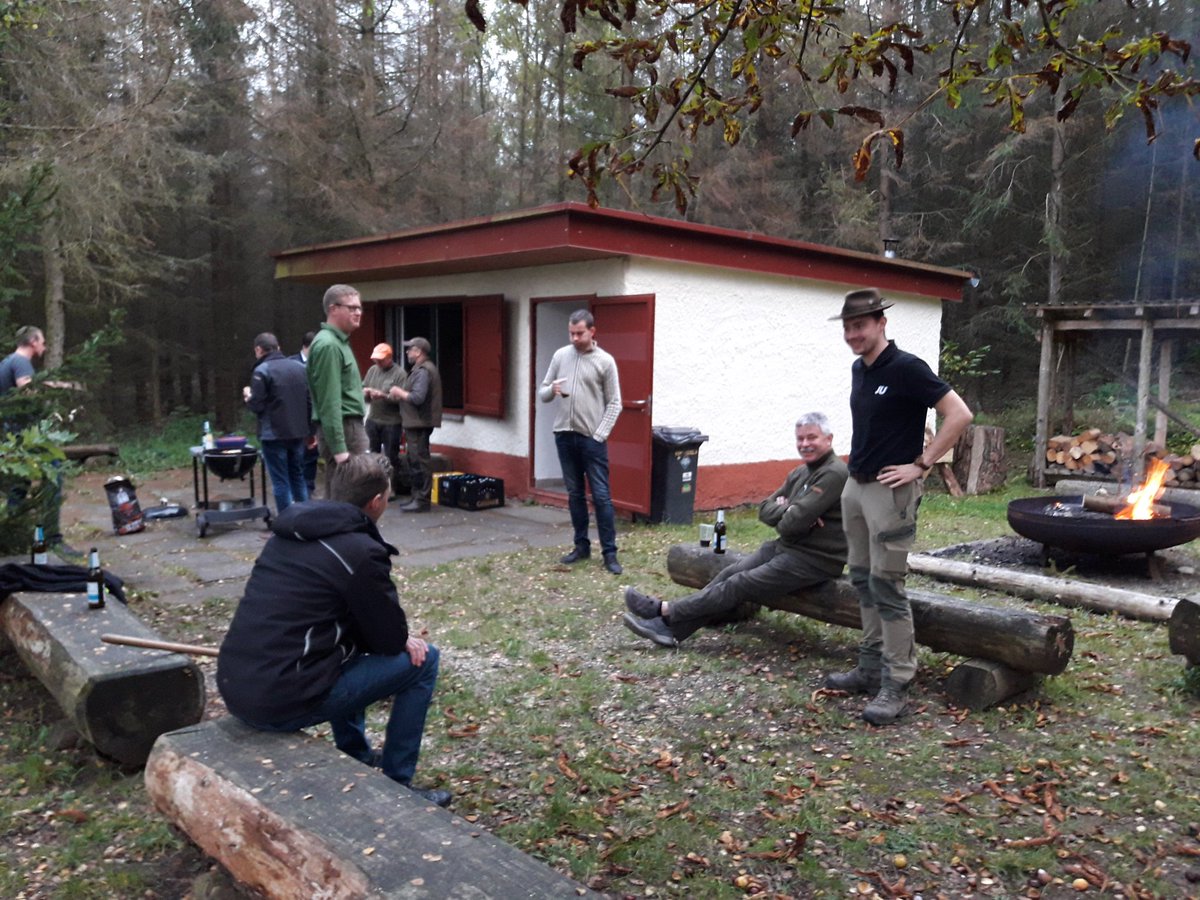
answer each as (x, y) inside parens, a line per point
(740, 356)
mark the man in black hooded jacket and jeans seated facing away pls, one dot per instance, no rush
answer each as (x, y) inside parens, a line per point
(320, 634)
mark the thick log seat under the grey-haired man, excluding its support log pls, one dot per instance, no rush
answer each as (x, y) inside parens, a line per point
(1024, 641)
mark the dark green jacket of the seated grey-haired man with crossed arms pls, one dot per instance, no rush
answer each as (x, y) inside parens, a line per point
(811, 521)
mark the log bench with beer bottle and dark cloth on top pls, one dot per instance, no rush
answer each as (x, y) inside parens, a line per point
(119, 699)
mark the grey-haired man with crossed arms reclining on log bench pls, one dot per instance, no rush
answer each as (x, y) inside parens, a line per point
(811, 549)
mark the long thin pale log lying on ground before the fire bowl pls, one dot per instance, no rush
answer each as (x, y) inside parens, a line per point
(1085, 596)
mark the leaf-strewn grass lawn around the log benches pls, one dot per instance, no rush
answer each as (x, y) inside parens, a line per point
(721, 770)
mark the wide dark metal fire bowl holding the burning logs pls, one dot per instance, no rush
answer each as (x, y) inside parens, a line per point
(1063, 523)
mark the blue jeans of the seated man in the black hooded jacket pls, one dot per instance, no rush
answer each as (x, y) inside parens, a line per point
(365, 680)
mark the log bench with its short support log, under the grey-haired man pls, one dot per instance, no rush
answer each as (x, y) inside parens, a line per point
(1007, 650)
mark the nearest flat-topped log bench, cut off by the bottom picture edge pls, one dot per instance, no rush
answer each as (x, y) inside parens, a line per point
(292, 817)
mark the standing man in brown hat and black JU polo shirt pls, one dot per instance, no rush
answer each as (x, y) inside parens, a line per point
(890, 398)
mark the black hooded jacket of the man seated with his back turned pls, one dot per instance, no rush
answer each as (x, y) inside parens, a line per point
(320, 595)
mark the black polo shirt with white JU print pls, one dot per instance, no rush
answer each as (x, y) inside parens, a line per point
(889, 403)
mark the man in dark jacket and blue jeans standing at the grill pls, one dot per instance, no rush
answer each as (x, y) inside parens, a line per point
(279, 395)
